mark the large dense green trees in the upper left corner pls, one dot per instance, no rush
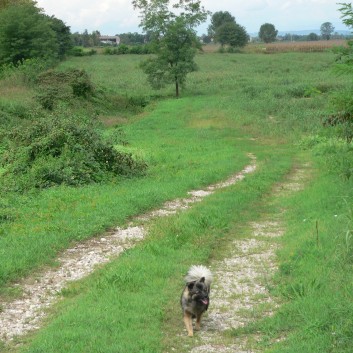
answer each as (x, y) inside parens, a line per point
(25, 33)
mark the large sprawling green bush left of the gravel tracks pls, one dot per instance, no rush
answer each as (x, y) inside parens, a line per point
(62, 149)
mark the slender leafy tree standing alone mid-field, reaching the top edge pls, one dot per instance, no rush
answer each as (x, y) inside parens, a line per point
(172, 37)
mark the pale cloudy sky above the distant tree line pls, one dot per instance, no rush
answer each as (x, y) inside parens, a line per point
(112, 17)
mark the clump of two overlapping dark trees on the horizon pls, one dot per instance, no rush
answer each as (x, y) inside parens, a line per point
(226, 31)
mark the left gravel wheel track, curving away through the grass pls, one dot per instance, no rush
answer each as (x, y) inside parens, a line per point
(40, 291)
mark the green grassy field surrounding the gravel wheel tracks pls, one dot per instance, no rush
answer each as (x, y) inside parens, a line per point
(271, 106)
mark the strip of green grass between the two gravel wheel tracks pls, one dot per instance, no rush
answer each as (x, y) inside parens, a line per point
(122, 307)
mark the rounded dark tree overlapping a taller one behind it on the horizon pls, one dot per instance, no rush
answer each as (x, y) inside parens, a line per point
(231, 33)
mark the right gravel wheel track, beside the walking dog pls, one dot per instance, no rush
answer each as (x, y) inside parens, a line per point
(240, 293)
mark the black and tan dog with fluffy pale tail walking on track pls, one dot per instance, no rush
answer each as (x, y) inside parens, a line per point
(195, 296)
